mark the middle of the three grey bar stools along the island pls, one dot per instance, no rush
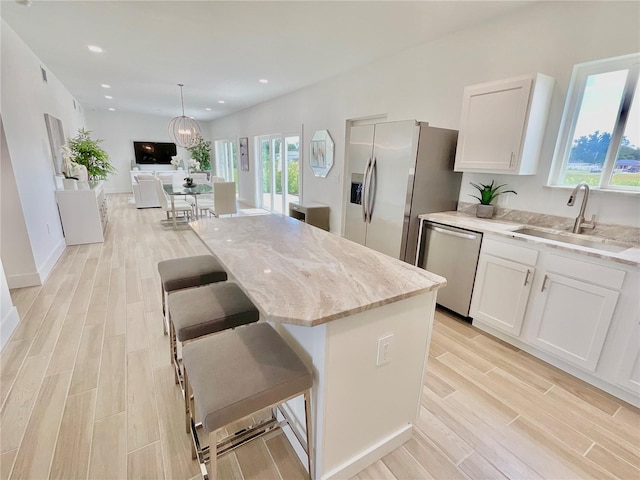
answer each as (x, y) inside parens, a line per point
(202, 311)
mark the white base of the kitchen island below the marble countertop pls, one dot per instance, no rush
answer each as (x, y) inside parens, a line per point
(363, 410)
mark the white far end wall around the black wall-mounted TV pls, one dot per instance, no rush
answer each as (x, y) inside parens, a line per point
(119, 130)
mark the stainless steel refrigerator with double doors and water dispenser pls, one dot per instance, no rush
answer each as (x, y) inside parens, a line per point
(397, 171)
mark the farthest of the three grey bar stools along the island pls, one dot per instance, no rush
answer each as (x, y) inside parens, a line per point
(187, 272)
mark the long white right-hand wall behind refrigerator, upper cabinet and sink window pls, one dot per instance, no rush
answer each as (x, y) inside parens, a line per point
(426, 83)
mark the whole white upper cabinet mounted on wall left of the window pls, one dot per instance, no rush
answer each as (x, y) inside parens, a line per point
(502, 125)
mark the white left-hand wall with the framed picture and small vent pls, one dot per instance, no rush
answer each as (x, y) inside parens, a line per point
(25, 98)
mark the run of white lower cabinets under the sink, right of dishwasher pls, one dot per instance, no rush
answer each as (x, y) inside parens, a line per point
(574, 311)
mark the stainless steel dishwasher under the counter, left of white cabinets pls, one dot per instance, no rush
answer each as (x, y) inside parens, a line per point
(453, 254)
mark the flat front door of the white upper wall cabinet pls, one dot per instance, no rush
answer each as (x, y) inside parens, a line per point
(492, 126)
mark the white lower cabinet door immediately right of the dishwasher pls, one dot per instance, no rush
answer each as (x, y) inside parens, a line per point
(501, 292)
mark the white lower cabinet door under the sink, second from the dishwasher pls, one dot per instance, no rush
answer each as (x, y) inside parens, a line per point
(570, 319)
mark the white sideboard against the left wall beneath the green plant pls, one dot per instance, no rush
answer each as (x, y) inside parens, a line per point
(83, 214)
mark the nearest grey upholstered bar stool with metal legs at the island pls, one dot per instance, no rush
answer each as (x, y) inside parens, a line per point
(235, 374)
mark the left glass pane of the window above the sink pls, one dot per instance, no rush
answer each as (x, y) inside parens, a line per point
(596, 120)
